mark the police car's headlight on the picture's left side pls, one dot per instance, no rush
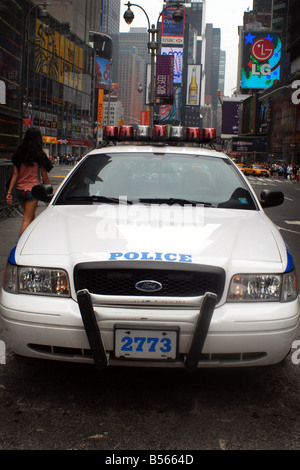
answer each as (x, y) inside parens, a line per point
(34, 280)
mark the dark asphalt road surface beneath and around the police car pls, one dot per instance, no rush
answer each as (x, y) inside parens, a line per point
(55, 406)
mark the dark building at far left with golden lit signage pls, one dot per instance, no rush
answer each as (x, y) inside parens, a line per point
(47, 75)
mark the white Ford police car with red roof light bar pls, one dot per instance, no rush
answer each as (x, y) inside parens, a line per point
(152, 254)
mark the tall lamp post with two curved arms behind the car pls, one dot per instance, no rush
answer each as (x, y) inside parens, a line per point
(153, 43)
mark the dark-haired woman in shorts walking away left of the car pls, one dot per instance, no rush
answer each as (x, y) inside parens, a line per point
(29, 161)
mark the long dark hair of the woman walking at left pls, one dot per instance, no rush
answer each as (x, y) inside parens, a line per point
(31, 150)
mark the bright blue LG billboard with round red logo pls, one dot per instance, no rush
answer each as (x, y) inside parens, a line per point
(261, 60)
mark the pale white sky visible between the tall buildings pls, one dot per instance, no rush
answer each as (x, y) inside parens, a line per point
(224, 14)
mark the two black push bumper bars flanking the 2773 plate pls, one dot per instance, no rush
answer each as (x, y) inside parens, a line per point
(94, 336)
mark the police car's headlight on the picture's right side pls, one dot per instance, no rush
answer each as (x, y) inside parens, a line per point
(263, 288)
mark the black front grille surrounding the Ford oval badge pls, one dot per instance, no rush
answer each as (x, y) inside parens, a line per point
(175, 283)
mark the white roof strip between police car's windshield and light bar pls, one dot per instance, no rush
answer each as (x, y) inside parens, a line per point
(168, 149)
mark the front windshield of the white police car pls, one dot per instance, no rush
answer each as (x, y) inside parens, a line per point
(156, 178)
